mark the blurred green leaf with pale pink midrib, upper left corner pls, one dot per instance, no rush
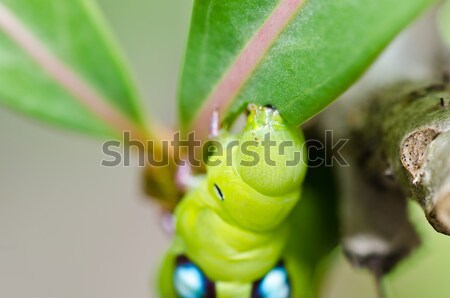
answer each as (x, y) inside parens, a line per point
(58, 63)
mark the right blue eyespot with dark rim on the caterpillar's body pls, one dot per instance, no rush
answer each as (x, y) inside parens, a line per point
(275, 284)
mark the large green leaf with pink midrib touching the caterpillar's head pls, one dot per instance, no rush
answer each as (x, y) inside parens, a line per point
(295, 55)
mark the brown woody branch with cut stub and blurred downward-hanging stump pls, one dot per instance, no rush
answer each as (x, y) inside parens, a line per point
(399, 148)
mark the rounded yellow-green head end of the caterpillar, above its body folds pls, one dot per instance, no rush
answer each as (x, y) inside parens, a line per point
(255, 179)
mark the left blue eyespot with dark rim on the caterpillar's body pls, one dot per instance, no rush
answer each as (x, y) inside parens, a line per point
(189, 281)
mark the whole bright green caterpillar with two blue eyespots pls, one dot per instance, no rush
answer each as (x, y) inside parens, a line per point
(231, 232)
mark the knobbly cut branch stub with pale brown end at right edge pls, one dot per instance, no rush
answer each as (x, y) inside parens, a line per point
(410, 130)
